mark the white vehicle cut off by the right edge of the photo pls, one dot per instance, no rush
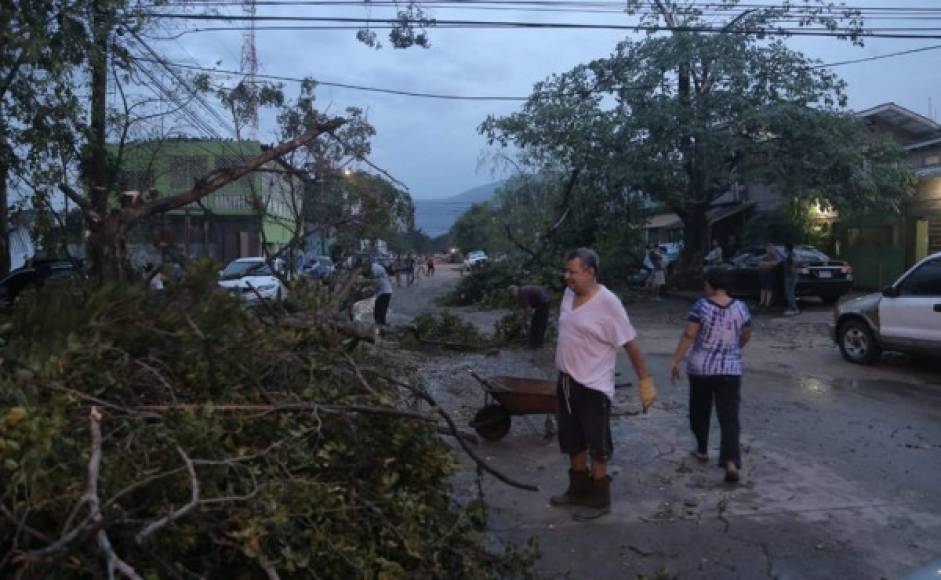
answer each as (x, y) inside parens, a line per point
(905, 317)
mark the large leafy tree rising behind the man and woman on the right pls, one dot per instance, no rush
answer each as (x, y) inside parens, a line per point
(690, 115)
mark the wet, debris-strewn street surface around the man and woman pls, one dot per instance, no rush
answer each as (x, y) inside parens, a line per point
(841, 462)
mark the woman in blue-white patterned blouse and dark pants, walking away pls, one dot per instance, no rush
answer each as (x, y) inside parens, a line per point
(717, 328)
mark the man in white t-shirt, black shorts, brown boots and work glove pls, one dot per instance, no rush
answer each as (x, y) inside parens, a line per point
(593, 326)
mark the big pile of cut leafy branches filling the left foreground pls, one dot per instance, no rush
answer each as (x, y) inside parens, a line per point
(180, 435)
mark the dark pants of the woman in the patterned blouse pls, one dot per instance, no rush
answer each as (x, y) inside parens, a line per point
(725, 390)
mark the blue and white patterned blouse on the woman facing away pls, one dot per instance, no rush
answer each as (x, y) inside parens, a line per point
(717, 349)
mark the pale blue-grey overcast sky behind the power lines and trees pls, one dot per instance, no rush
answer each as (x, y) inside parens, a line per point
(433, 145)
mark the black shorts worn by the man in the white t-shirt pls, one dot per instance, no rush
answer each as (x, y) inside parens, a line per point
(584, 419)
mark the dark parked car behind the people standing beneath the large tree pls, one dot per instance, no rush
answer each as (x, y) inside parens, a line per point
(820, 275)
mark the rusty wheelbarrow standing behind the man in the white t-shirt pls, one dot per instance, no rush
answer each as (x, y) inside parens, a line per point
(508, 396)
